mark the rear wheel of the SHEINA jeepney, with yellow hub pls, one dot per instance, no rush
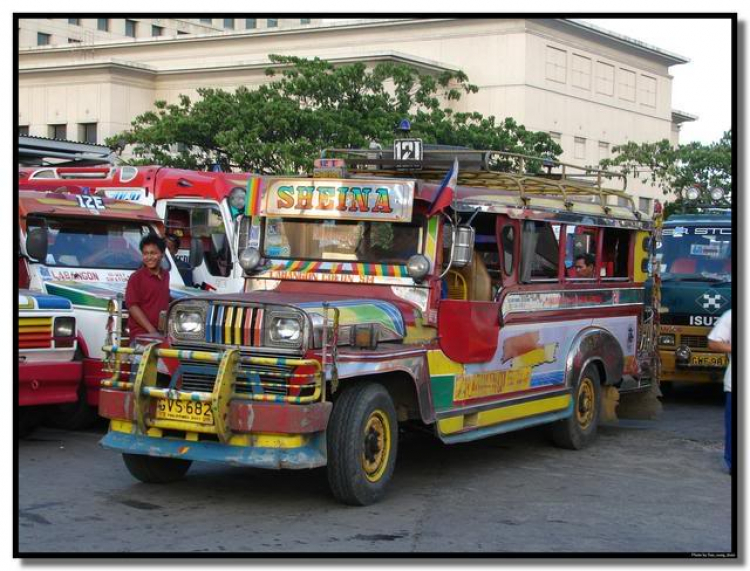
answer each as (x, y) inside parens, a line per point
(579, 430)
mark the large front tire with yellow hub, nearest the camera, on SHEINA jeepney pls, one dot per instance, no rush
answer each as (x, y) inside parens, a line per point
(362, 444)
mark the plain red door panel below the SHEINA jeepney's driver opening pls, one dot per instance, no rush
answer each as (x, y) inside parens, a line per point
(468, 330)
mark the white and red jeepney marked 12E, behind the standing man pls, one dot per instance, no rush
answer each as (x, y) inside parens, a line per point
(82, 249)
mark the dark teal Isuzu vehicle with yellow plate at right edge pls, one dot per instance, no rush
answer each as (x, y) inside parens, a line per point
(695, 255)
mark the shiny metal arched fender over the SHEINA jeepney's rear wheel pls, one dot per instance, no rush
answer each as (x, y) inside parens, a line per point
(594, 344)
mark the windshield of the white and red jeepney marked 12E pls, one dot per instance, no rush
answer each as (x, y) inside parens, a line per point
(91, 243)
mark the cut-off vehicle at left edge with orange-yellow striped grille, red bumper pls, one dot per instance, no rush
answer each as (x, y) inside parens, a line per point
(48, 373)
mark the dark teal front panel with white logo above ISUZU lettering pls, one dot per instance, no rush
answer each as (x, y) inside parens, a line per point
(683, 298)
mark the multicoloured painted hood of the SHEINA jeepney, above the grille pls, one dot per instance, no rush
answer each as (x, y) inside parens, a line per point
(352, 310)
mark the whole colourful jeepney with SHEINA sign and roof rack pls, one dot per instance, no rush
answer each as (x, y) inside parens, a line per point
(362, 312)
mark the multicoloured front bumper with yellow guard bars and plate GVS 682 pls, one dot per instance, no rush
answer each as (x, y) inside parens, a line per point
(247, 425)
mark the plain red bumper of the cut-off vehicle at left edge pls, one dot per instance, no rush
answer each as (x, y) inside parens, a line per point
(47, 383)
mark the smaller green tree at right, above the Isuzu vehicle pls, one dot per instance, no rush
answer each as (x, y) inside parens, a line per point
(675, 169)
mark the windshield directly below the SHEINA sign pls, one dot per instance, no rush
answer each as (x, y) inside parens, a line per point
(341, 240)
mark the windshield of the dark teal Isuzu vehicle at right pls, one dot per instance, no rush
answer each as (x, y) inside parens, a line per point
(697, 251)
